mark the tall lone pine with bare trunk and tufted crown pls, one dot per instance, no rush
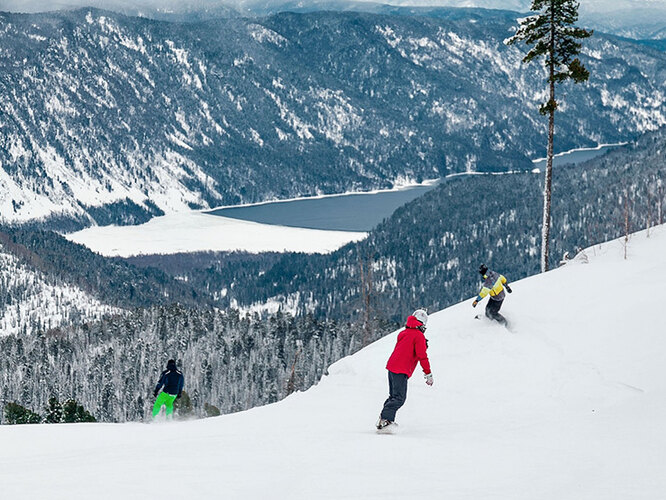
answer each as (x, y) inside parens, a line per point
(552, 34)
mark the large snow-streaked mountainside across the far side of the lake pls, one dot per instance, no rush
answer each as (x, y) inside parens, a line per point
(112, 119)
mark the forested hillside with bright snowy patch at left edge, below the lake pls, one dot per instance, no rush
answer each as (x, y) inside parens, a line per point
(47, 282)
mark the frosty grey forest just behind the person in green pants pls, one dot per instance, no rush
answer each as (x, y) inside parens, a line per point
(230, 362)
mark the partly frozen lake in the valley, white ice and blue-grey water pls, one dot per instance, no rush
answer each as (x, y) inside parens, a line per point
(301, 225)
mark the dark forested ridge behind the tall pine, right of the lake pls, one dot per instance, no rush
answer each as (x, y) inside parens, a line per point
(428, 252)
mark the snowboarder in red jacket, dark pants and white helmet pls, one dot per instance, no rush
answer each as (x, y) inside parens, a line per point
(409, 350)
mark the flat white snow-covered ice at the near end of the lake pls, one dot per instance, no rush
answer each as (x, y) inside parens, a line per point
(199, 232)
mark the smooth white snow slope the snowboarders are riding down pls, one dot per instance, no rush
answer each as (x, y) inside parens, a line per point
(569, 404)
